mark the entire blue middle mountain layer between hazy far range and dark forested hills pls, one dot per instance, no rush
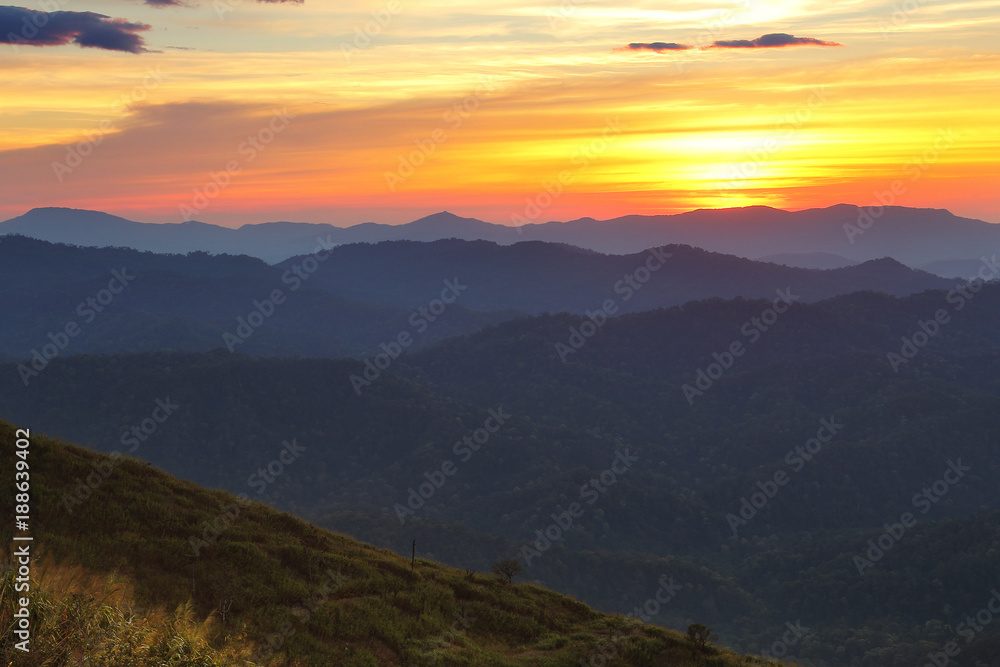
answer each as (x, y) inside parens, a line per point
(351, 300)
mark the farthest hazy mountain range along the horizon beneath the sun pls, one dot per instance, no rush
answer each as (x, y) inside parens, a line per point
(920, 238)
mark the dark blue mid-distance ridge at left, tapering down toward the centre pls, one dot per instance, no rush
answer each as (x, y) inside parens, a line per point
(70, 300)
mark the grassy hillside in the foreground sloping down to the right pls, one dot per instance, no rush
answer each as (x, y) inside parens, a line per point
(270, 587)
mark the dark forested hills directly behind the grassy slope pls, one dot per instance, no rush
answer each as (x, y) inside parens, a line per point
(889, 428)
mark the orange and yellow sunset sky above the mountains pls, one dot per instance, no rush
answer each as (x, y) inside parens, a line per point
(236, 111)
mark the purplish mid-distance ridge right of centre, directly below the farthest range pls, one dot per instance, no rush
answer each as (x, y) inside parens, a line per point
(536, 277)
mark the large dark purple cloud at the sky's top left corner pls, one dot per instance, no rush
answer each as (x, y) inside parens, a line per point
(29, 27)
